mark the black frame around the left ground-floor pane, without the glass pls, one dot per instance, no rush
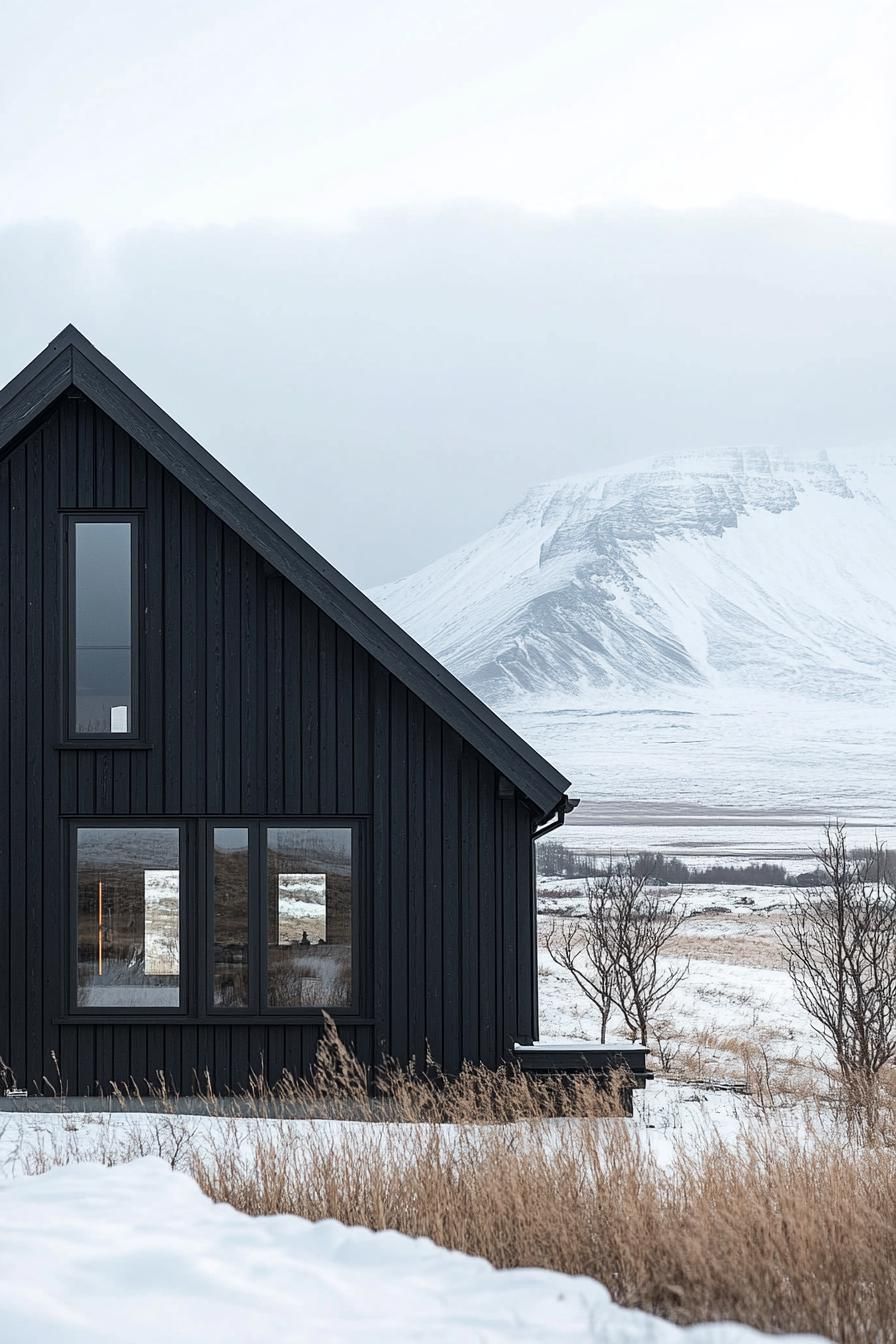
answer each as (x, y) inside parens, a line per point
(186, 1007)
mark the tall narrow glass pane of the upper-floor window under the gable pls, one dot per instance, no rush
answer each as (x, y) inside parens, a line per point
(104, 654)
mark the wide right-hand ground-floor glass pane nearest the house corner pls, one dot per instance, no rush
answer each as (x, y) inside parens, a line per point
(310, 917)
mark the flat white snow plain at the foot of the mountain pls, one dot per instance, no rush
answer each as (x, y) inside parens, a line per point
(749, 751)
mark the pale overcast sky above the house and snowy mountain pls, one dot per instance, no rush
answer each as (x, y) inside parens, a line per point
(396, 261)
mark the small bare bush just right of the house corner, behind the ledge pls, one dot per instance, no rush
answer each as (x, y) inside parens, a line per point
(615, 952)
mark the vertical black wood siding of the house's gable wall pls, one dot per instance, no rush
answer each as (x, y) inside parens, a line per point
(253, 704)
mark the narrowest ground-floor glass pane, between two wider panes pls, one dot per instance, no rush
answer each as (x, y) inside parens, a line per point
(232, 917)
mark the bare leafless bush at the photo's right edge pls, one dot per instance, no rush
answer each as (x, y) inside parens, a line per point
(839, 944)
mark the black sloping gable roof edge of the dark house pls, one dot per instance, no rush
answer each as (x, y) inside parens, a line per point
(71, 361)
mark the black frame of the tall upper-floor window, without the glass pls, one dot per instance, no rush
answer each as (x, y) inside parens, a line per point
(69, 732)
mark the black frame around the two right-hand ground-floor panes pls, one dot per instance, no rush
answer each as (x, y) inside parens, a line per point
(259, 827)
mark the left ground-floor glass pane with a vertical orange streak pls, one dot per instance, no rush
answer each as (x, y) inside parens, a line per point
(128, 917)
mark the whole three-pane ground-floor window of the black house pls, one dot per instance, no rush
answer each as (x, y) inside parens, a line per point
(208, 917)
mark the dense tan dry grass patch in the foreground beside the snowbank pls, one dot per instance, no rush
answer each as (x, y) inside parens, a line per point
(778, 1234)
